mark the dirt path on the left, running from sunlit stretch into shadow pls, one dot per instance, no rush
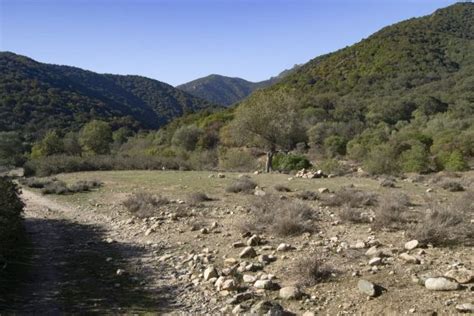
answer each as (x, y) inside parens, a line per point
(74, 266)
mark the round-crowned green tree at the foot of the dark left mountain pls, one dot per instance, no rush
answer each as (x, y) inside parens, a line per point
(95, 138)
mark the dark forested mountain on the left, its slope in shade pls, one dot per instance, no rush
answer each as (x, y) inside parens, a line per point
(35, 97)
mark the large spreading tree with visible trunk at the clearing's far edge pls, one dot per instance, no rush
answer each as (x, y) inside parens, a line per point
(269, 122)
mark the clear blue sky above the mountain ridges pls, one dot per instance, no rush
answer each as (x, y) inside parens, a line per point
(176, 41)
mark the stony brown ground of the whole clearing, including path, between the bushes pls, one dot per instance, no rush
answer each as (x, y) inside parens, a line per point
(90, 254)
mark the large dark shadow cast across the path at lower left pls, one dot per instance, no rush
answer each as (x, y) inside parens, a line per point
(73, 269)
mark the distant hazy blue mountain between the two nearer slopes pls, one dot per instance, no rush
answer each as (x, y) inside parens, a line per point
(227, 90)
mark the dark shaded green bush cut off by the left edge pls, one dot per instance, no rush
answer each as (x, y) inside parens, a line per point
(11, 231)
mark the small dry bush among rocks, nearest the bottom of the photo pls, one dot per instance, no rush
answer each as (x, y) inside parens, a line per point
(312, 270)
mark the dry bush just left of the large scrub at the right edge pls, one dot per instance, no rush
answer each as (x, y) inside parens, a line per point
(391, 211)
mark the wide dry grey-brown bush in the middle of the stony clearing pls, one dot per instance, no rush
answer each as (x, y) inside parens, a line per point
(279, 217)
